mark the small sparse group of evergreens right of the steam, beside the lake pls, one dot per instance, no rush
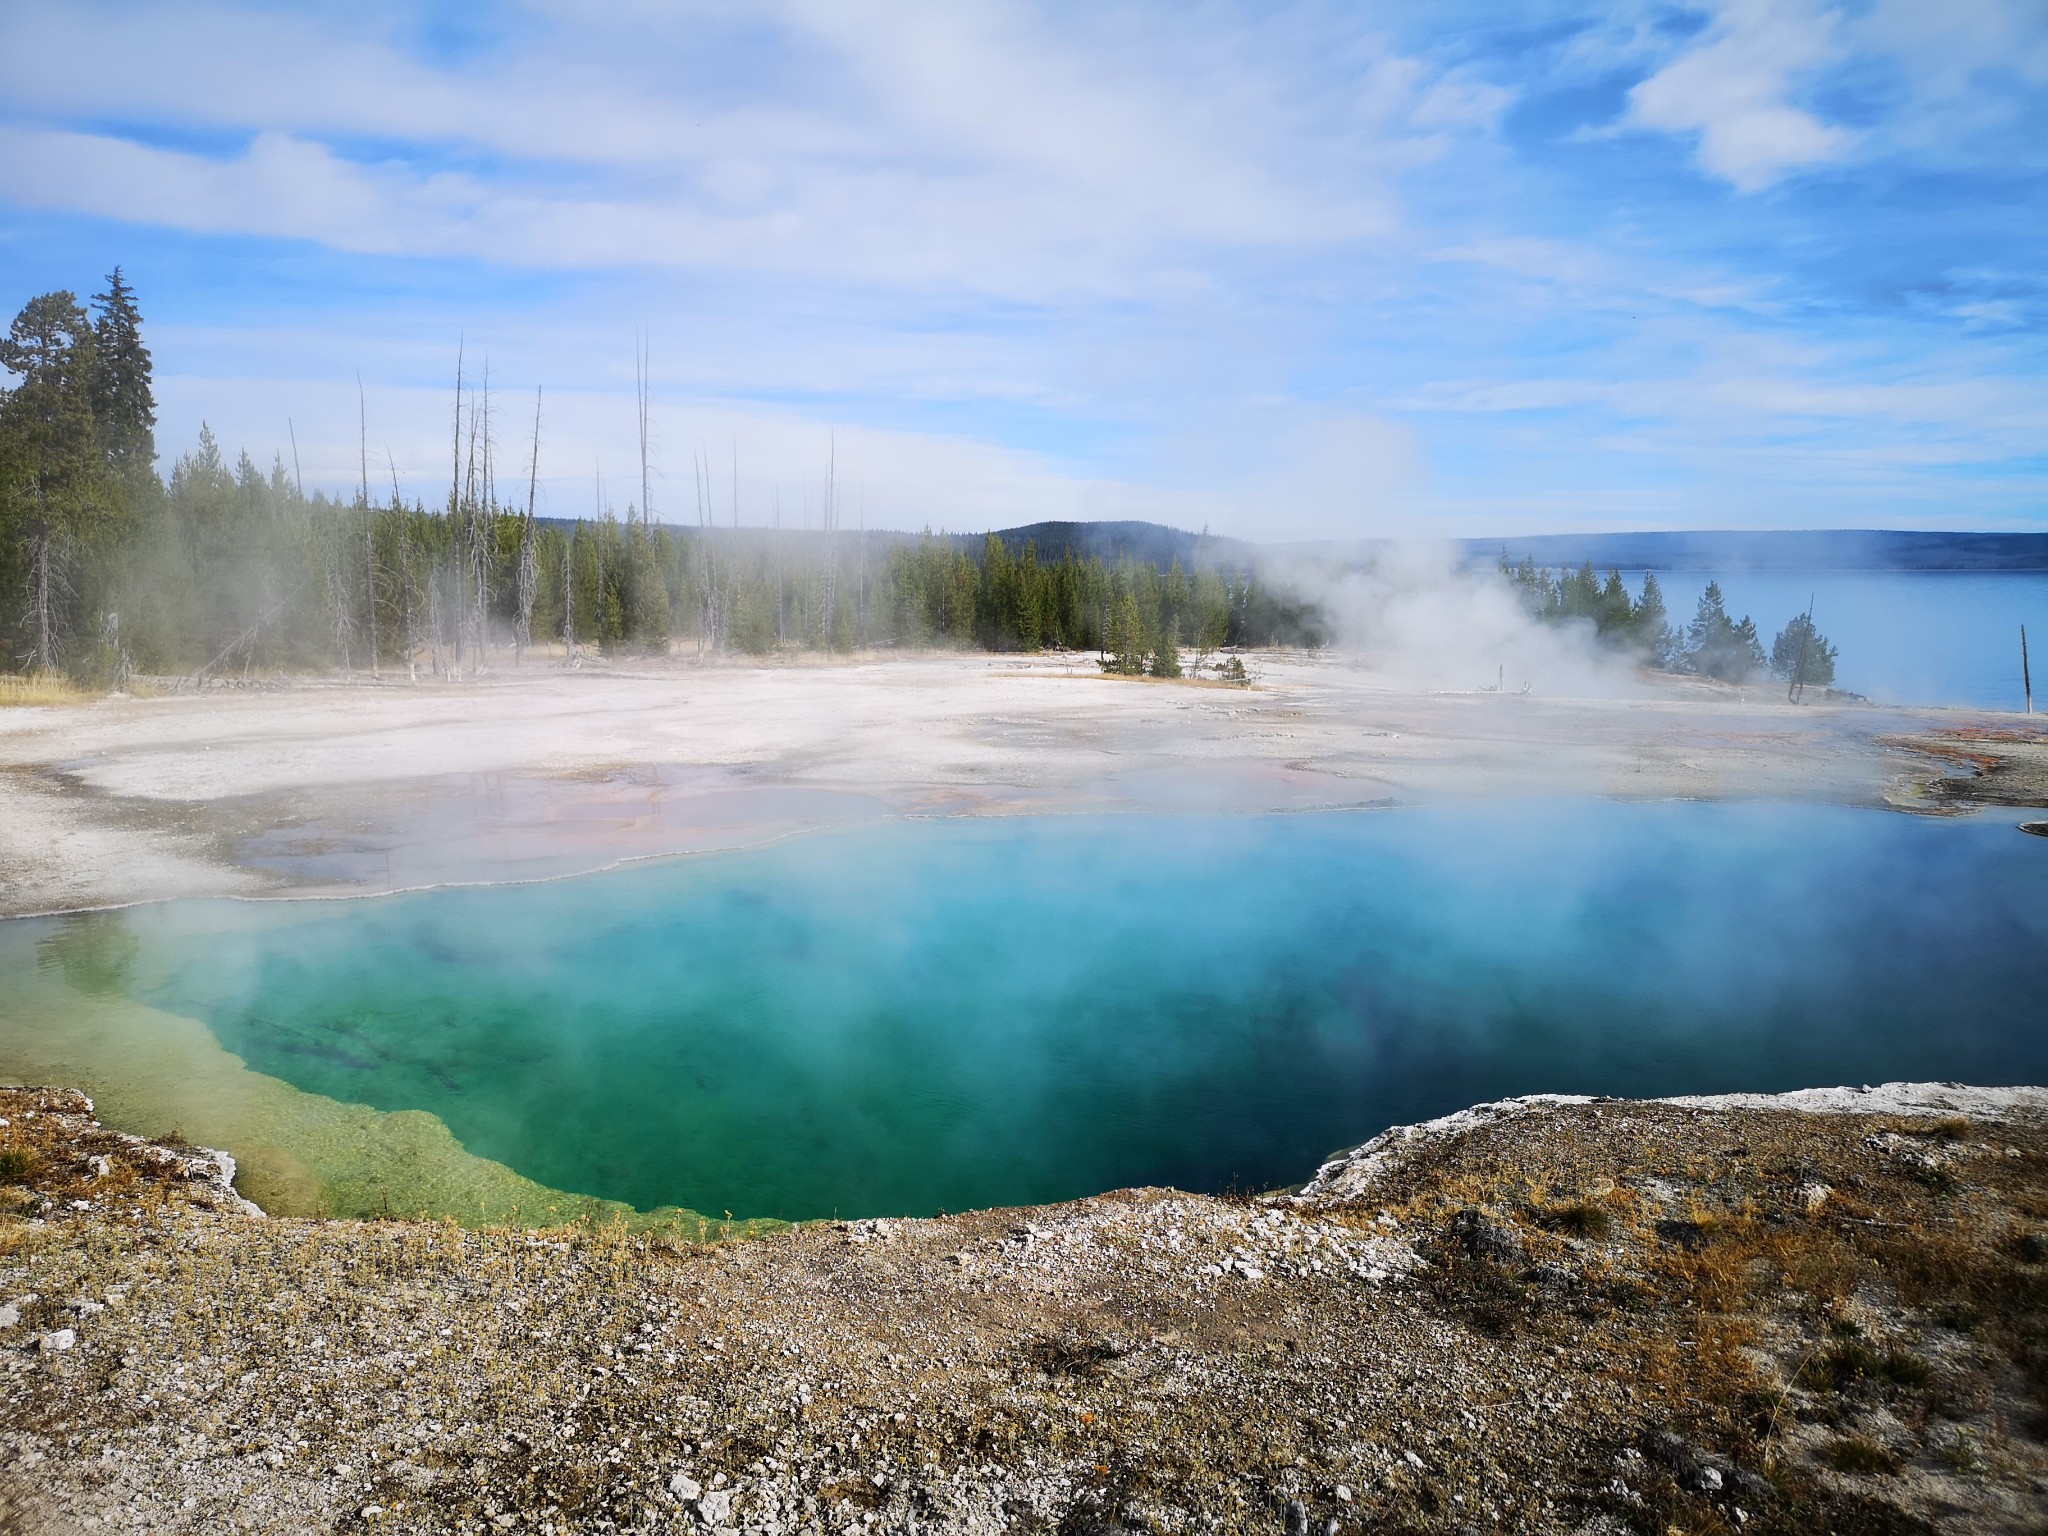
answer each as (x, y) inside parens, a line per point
(1711, 646)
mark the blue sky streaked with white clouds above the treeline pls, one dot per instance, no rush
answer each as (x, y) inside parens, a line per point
(1293, 271)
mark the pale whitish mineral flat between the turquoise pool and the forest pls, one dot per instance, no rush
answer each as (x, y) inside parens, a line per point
(351, 787)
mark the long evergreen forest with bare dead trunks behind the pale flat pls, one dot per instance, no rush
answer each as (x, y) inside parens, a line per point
(234, 570)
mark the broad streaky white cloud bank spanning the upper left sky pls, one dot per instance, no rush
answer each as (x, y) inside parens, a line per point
(972, 146)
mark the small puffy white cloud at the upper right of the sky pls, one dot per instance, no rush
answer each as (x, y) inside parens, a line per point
(1734, 91)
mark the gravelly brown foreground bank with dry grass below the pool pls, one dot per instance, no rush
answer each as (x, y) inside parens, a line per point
(1811, 1312)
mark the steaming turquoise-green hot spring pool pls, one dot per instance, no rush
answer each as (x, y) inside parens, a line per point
(945, 1015)
